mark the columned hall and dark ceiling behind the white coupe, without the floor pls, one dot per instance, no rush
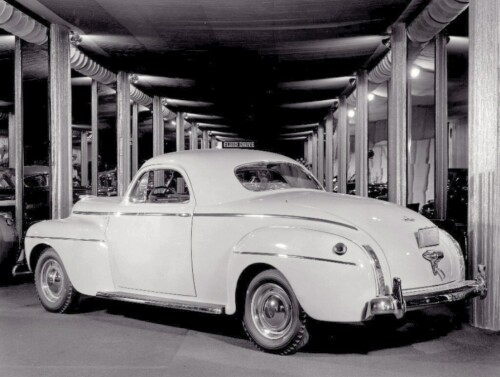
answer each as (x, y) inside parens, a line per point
(396, 100)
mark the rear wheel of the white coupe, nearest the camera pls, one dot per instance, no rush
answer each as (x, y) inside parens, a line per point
(273, 318)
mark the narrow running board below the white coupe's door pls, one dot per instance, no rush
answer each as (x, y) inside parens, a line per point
(163, 302)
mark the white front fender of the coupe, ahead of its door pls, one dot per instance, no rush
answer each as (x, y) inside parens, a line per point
(81, 245)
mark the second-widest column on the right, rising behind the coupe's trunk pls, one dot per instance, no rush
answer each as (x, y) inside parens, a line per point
(397, 120)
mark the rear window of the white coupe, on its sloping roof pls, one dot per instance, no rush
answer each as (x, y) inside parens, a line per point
(263, 176)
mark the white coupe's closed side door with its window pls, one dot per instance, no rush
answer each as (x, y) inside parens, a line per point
(150, 235)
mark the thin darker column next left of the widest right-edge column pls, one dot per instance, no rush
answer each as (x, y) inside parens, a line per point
(441, 124)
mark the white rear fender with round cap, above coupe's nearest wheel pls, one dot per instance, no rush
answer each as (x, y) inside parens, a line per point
(329, 287)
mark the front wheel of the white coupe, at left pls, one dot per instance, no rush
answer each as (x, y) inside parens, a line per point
(54, 289)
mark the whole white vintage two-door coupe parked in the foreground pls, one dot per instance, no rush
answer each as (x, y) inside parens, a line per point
(249, 233)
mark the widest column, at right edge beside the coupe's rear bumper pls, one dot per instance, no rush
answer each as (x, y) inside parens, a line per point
(484, 156)
